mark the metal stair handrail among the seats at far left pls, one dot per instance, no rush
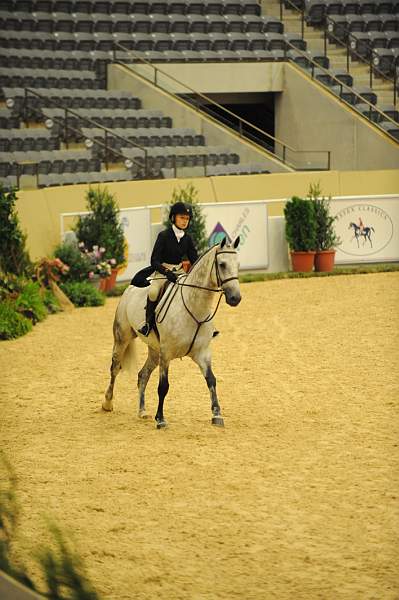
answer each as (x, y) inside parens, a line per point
(107, 132)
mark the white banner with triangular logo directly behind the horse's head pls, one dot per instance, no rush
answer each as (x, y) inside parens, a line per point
(245, 219)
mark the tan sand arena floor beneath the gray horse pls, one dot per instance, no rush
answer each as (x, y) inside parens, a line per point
(296, 498)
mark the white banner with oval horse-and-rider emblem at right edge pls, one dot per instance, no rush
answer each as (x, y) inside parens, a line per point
(368, 228)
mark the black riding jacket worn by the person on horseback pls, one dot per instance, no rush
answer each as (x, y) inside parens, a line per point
(168, 249)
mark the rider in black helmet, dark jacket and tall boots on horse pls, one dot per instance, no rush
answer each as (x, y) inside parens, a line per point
(172, 244)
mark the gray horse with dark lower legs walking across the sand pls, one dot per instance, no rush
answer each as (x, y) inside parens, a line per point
(184, 325)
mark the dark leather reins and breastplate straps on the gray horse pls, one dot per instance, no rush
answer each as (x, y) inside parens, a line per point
(220, 282)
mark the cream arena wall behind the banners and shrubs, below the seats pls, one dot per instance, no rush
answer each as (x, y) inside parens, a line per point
(40, 210)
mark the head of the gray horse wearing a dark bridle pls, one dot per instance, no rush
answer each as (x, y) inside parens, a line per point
(226, 267)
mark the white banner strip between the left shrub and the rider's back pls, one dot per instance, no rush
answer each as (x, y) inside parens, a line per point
(136, 223)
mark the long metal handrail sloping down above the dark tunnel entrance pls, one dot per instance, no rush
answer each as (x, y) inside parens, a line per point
(210, 101)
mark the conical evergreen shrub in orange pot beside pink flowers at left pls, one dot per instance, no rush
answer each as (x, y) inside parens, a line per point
(101, 228)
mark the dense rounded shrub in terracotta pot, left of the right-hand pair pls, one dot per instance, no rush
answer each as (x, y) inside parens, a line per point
(300, 232)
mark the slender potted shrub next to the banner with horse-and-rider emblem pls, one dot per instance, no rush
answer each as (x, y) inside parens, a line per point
(326, 238)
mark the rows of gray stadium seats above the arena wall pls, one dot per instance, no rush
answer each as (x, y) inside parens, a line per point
(61, 48)
